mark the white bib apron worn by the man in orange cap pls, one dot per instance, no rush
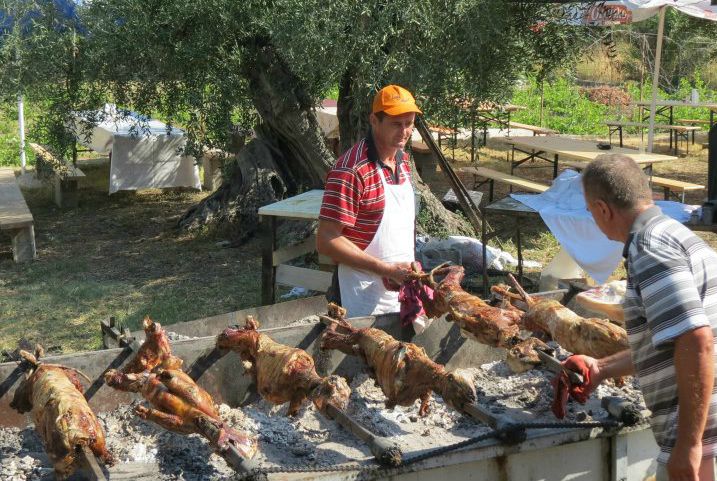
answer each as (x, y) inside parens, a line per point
(363, 292)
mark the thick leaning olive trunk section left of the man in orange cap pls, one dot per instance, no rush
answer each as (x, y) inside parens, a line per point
(287, 157)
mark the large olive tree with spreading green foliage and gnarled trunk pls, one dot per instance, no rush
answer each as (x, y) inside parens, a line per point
(211, 64)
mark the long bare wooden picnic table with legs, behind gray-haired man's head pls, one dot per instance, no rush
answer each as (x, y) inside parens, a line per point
(554, 148)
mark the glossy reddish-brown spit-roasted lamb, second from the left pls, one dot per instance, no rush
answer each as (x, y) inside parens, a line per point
(178, 403)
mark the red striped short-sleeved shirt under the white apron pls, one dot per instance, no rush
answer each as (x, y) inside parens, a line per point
(354, 194)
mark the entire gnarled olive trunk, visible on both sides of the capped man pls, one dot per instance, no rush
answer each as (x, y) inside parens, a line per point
(289, 155)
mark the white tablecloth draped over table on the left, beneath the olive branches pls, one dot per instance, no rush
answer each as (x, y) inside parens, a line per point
(145, 153)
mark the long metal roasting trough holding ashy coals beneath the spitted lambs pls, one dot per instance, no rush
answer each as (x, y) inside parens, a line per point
(510, 452)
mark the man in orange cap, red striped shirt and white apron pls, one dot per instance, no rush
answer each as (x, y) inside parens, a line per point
(367, 218)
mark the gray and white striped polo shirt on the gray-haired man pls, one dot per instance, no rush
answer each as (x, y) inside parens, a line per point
(671, 289)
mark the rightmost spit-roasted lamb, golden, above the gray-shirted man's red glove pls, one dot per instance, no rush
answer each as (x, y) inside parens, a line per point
(590, 336)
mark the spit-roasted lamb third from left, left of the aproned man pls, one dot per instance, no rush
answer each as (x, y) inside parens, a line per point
(281, 373)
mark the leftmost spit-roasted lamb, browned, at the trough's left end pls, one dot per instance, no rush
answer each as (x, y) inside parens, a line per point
(63, 419)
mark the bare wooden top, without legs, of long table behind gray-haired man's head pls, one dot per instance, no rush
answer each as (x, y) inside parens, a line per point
(580, 150)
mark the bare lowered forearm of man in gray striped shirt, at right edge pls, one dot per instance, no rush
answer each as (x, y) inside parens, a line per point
(694, 370)
